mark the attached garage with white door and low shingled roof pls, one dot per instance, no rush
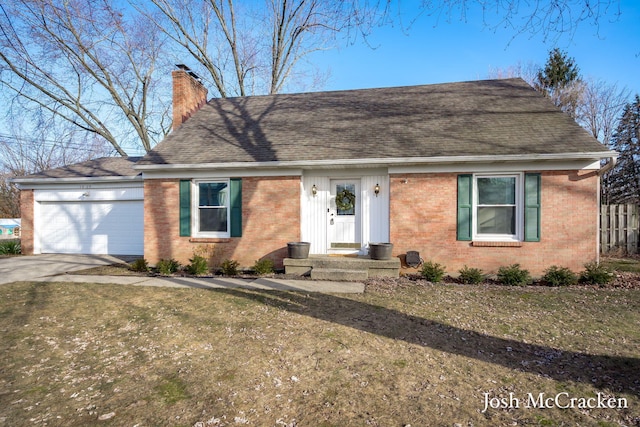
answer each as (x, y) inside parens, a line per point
(94, 207)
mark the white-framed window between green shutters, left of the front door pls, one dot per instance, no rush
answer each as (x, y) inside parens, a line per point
(211, 210)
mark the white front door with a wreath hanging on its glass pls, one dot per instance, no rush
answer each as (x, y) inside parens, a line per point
(344, 228)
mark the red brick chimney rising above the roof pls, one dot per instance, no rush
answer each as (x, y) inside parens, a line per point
(189, 94)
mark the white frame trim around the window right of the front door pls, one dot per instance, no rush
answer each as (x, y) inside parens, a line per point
(519, 205)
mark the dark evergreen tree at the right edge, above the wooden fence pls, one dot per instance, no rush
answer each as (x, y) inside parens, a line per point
(623, 181)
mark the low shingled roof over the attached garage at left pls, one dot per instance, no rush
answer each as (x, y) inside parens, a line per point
(104, 168)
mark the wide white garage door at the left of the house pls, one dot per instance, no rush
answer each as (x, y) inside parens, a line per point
(96, 227)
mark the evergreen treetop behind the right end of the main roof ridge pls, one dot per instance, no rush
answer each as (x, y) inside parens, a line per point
(560, 80)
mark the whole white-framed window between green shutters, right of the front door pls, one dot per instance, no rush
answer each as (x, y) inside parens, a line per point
(498, 212)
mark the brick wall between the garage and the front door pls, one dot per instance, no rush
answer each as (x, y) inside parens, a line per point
(270, 219)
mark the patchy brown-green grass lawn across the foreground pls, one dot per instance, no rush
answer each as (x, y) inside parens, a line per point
(397, 355)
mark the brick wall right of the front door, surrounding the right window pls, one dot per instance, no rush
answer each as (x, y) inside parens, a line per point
(423, 213)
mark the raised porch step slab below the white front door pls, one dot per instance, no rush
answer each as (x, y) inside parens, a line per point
(370, 267)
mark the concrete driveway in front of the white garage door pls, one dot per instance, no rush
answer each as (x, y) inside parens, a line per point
(38, 267)
